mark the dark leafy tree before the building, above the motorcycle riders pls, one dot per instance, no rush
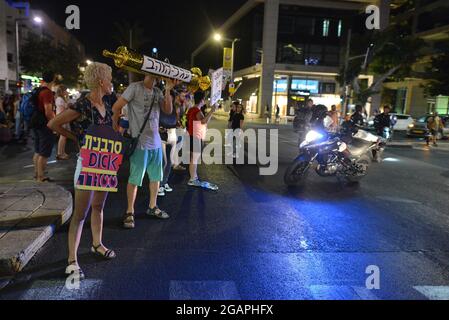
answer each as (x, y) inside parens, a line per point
(392, 53)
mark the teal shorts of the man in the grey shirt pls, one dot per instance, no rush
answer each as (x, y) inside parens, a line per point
(146, 161)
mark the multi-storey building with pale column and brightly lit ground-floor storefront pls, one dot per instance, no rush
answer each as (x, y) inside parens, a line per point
(292, 50)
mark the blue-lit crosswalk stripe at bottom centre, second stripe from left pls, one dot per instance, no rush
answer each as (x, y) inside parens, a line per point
(203, 290)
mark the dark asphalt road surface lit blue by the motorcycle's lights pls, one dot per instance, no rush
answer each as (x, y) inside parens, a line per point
(256, 239)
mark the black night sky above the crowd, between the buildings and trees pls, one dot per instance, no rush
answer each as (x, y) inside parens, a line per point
(176, 28)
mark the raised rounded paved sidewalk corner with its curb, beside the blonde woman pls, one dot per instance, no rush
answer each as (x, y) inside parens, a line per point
(30, 213)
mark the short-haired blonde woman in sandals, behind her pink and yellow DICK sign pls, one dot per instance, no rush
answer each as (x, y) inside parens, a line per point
(91, 110)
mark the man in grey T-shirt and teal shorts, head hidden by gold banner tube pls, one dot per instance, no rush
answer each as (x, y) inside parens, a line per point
(144, 97)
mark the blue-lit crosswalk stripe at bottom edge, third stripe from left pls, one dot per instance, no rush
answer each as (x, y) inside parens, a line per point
(341, 293)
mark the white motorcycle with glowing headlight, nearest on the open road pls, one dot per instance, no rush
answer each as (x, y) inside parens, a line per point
(328, 151)
